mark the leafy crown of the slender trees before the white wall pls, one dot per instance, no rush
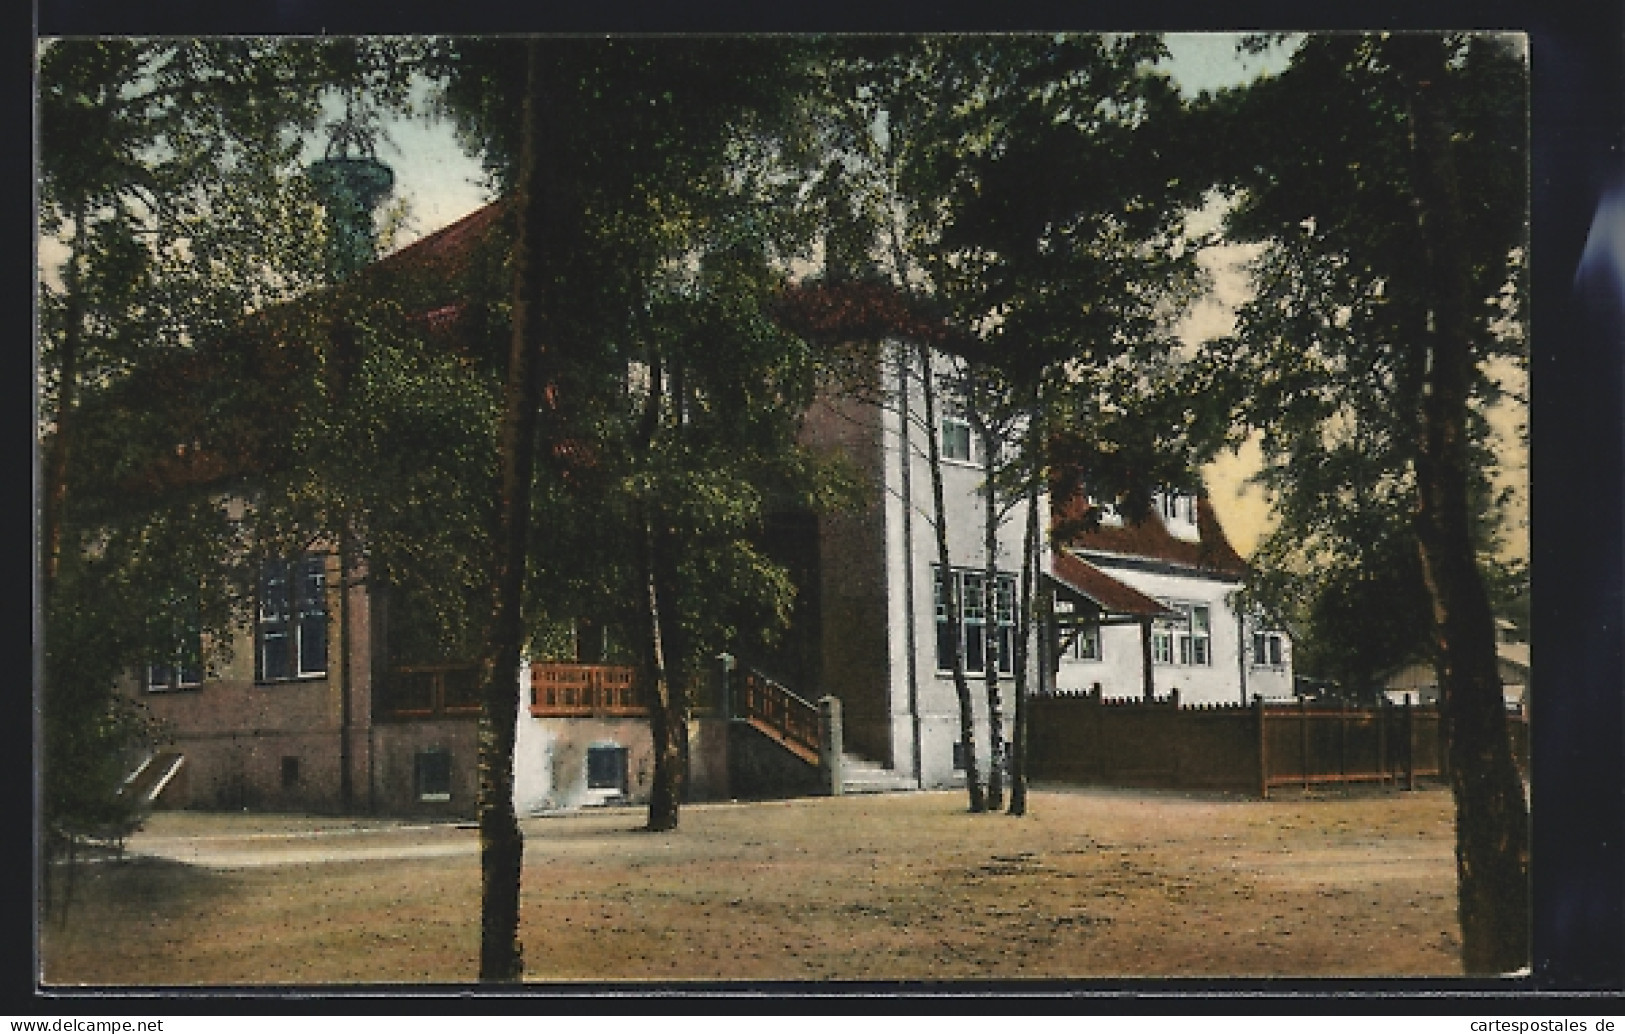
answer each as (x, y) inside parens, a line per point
(1036, 191)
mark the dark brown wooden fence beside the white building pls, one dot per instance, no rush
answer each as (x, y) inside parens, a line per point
(1233, 747)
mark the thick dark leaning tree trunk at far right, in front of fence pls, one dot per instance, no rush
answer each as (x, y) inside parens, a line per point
(1493, 820)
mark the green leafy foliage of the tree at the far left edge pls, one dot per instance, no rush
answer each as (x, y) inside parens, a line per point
(171, 207)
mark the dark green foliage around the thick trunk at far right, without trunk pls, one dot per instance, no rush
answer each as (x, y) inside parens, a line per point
(1327, 350)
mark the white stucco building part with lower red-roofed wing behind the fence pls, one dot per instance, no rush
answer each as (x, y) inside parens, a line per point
(1161, 589)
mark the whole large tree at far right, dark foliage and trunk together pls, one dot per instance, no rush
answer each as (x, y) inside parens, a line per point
(1385, 178)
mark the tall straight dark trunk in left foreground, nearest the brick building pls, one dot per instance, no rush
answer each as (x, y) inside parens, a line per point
(501, 845)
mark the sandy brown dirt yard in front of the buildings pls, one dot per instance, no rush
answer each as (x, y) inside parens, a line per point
(904, 887)
